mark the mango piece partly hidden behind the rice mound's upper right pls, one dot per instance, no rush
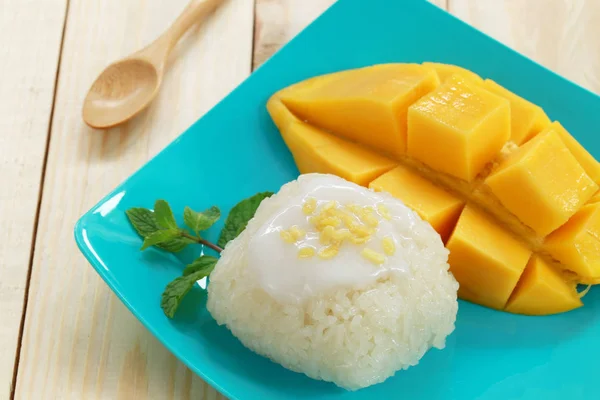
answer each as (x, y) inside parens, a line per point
(435, 205)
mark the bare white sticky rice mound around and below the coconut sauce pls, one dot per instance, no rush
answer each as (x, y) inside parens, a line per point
(352, 336)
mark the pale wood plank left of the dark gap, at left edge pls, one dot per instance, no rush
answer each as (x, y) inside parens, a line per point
(30, 37)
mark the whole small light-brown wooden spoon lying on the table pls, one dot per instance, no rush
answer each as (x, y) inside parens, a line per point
(128, 86)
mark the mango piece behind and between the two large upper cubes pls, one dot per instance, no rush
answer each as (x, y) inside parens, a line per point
(527, 119)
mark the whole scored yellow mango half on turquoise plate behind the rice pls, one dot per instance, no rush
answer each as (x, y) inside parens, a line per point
(514, 196)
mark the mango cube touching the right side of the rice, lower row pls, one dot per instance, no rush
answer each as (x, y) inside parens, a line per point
(485, 259)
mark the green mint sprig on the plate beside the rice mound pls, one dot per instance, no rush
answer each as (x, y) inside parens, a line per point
(159, 229)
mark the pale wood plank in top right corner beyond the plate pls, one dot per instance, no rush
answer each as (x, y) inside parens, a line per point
(562, 35)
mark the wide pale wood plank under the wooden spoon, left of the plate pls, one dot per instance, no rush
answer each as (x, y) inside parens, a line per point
(79, 340)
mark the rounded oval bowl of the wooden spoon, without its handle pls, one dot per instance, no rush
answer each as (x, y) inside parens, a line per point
(121, 91)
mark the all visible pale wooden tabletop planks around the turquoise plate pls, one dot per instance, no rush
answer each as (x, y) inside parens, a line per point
(63, 334)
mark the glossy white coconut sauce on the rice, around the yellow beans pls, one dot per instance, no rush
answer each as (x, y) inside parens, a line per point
(289, 278)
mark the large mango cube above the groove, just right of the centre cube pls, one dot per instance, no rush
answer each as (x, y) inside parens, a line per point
(542, 183)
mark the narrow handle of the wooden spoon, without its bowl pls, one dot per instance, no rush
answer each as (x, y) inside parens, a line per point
(195, 12)
